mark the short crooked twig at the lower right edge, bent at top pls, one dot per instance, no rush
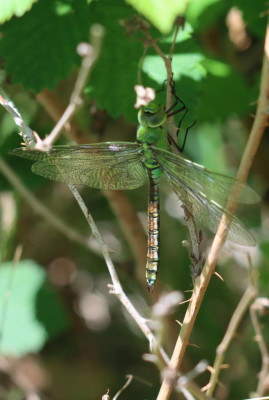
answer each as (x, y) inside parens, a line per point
(258, 307)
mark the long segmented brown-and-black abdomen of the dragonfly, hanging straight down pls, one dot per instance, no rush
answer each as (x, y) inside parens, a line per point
(153, 231)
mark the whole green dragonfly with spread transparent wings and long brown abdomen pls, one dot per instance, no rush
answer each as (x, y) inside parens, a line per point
(124, 166)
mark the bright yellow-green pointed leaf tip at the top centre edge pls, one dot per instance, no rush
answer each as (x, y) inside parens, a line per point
(161, 13)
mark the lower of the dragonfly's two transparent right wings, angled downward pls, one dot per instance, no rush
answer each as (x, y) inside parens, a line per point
(208, 212)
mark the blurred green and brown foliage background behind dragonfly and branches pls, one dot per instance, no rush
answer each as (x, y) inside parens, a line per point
(64, 335)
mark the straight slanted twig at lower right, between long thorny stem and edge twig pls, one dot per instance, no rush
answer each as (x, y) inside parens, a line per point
(241, 309)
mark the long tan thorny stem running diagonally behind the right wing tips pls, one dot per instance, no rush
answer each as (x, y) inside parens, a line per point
(202, 281)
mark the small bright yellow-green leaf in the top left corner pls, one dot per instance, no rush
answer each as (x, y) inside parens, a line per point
(9, 8)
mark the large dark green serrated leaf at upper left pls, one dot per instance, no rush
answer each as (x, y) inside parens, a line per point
(40, 47)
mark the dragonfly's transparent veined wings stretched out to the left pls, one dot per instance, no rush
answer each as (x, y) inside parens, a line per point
(112, 165)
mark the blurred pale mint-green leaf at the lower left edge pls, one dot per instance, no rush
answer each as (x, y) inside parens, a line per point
(22, 330)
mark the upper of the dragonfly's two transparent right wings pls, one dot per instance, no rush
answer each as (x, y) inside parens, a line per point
(213, 185)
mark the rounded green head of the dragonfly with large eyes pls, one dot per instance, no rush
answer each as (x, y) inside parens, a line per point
(152, 115)
